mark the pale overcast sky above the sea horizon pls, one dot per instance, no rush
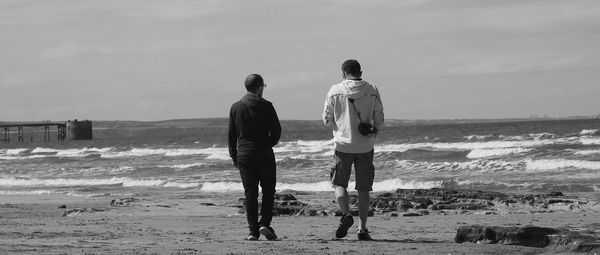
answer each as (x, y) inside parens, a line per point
(431, 59)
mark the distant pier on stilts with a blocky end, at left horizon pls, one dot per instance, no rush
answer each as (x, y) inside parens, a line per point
(73, 130)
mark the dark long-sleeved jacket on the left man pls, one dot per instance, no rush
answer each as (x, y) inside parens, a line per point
(253, 126)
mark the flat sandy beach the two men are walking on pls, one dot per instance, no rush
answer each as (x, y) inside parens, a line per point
(188, 223)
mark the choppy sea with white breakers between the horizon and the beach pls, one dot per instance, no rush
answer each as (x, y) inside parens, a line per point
(525, 156)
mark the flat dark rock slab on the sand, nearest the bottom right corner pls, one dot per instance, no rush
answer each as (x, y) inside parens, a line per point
(585, 239)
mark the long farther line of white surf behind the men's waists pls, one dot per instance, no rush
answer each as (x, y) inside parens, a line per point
(478, 146)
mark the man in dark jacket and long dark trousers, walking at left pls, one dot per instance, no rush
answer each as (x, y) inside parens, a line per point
(253, 131)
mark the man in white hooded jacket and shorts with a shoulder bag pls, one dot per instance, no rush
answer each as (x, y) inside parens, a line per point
(347, 105)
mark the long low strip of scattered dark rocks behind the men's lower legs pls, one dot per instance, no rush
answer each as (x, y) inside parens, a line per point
(419, 202)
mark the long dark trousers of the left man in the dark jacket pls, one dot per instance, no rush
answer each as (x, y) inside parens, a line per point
(258, 169)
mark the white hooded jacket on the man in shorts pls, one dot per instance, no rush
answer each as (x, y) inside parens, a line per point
(340, 115)
